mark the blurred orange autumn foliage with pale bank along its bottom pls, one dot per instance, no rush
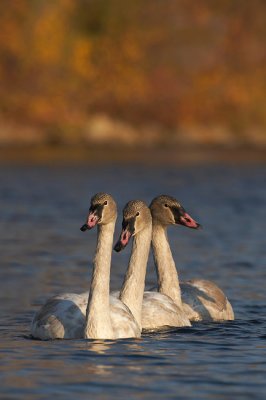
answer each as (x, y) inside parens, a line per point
(140, 74)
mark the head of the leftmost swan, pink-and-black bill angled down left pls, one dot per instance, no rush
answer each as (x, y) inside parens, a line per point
(102, 211)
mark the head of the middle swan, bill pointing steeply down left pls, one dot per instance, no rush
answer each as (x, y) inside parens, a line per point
(136, 217)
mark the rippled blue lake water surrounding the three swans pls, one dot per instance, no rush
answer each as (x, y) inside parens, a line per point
(43, 253)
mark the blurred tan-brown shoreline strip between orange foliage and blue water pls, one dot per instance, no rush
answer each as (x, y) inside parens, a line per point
(107, 140)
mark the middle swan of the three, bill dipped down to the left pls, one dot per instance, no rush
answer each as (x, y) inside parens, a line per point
(154, 310)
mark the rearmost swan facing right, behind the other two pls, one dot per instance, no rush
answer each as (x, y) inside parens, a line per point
(202, 300)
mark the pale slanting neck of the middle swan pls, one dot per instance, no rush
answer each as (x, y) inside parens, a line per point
(132, 290)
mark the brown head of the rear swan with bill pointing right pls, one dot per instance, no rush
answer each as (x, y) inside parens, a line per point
(166, 210)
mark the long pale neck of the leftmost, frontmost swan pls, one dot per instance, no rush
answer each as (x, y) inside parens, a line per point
(98, 320)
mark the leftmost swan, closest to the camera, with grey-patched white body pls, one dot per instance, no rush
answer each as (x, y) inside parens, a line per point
(97, 315)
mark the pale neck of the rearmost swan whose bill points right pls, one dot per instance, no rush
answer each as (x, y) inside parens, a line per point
(168, 282)
